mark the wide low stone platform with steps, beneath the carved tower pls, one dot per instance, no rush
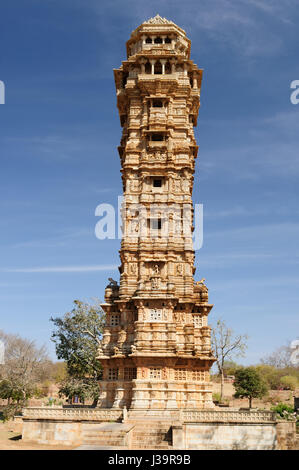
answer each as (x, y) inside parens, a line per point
(157, 429)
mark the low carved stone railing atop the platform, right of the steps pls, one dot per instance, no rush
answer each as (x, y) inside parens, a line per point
(227, 416)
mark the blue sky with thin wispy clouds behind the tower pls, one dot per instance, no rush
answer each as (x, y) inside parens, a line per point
(59, 132)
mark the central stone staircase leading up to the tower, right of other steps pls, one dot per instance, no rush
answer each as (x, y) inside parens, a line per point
(151, 435)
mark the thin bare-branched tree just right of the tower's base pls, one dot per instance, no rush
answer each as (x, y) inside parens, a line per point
(226, 345)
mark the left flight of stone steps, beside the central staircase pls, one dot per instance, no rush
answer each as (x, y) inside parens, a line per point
(107, 435)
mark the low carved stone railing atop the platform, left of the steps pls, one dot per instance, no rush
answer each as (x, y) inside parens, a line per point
(76, 414)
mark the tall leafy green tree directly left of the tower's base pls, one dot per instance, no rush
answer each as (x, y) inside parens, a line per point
(77, 338)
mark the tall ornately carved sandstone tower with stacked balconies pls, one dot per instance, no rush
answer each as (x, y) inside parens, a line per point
(156, 350)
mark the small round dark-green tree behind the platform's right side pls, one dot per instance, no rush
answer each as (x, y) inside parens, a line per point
(249, 384)
